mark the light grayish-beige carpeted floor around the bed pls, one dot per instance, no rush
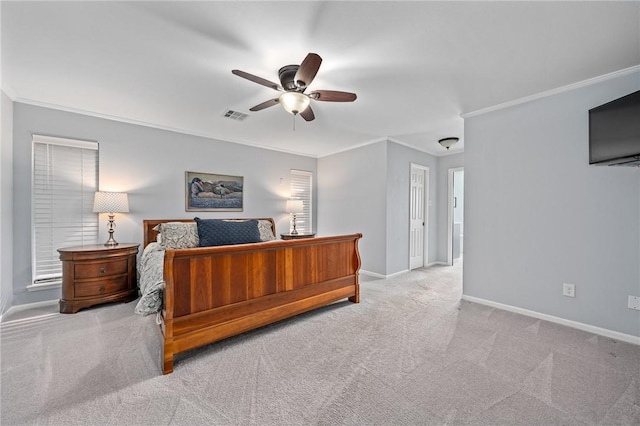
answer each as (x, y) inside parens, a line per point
(410, 353)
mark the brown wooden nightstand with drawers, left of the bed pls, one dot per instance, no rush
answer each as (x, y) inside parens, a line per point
(95, 274)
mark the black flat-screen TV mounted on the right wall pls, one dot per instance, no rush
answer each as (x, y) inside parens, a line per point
(614, 132)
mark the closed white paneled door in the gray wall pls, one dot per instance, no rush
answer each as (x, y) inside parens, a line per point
(418, 216)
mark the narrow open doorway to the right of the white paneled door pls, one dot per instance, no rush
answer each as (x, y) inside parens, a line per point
(455, 215)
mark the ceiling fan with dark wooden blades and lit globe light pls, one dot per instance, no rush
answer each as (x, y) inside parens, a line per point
(294, 80)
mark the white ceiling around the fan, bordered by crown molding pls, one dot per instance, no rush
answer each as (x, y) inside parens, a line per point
(415, 66)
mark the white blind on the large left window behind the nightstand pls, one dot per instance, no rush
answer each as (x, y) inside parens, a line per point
(65, 178)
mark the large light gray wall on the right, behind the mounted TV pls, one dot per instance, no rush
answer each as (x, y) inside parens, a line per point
(537, 215)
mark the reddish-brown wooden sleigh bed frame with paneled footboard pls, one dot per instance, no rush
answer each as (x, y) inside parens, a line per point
(212, 293)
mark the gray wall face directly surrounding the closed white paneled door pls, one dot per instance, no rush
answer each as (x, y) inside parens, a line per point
(399, 159)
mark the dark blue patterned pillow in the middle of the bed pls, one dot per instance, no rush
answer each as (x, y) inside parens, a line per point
(215, 232)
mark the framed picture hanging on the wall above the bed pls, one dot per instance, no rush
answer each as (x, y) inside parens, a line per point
(207, 192)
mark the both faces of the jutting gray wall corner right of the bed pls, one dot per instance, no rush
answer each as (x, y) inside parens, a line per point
(367, 190)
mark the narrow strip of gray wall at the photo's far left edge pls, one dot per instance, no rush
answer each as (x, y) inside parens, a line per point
(6, 202)
